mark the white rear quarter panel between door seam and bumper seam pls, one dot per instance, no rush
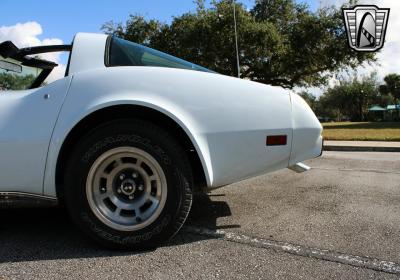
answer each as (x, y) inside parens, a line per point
(226, 118)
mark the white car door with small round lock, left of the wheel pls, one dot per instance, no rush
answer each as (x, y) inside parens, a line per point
(27, 119)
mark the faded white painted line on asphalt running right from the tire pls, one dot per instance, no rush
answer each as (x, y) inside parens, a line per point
(321, 254)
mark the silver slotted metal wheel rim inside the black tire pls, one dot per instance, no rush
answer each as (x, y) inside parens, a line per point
(126, 188)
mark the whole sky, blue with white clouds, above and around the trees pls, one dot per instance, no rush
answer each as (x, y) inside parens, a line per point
(44, 22)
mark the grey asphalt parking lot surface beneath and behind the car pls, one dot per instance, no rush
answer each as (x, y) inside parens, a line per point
(340, 220)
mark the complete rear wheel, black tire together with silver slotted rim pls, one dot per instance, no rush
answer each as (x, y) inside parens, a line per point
(128, 185)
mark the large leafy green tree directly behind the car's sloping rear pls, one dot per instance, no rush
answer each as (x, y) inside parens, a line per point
(281, 42)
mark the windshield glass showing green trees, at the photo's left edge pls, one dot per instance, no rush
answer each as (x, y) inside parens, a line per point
(15, 76)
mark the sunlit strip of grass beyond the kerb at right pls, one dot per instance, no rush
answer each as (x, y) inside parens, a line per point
(362, 131)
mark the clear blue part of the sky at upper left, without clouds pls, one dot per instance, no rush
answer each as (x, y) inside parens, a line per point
(62, 19)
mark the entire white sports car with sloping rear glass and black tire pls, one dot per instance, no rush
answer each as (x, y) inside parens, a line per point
(127, 136)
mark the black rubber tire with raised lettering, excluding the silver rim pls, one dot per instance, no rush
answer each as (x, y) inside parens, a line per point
(164, 149)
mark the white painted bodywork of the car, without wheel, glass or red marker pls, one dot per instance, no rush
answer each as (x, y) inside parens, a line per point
(226, 118)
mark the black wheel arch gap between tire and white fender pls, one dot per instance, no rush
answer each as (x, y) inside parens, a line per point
(130, 111)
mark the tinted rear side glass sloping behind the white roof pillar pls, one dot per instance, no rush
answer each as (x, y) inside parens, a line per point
(126, 53)
